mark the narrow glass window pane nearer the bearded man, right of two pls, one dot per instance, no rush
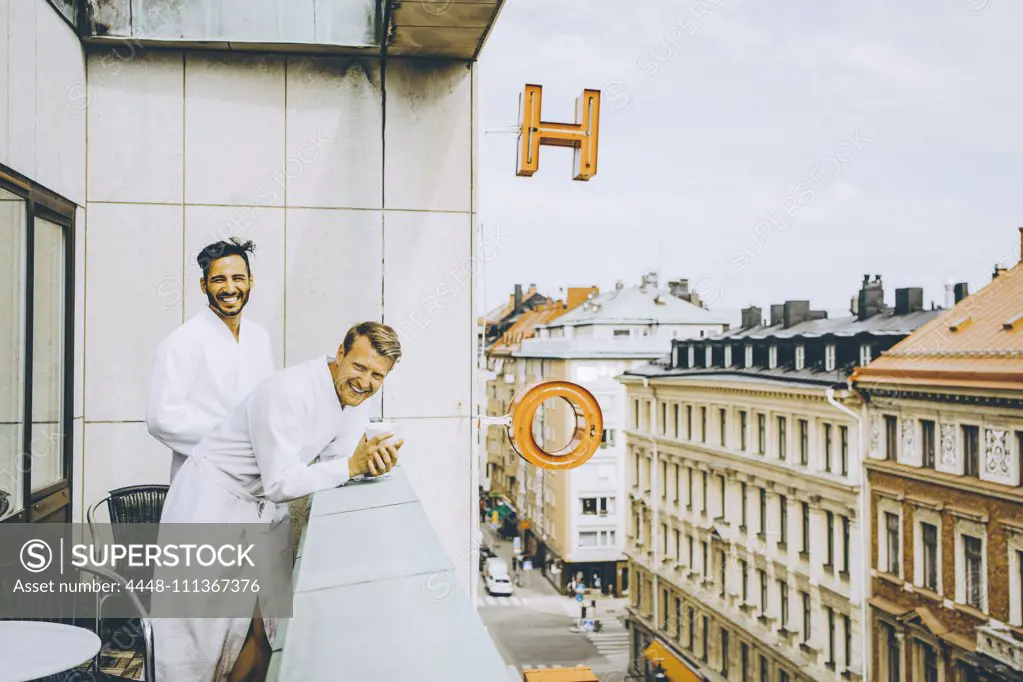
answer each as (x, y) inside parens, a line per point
(49, 355)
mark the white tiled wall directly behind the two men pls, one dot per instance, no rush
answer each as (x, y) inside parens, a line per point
(289, 152)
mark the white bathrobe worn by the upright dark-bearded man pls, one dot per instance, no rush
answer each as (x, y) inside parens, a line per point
(200, 374)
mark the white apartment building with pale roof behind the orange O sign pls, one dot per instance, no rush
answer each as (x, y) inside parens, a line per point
(575, 520)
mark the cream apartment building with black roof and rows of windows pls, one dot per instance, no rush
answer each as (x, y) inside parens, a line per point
(744, 493)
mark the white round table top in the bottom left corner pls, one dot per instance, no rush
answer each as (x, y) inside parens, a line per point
(30, 650)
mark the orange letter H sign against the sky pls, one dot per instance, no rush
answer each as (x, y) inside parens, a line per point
(582, 135)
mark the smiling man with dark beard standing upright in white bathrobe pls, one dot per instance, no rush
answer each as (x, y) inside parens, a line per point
(213, 361)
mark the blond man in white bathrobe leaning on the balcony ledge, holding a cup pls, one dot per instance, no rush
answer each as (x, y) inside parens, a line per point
(260, 459)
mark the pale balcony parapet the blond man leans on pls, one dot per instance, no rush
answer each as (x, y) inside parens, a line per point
(376, 594)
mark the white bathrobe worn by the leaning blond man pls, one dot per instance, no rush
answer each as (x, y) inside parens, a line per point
(246, 472)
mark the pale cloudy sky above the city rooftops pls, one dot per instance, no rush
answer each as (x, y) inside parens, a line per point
(766, 152)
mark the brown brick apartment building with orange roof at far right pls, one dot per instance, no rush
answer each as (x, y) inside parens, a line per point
(945, 411)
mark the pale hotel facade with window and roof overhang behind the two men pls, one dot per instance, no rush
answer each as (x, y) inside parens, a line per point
(129, 142)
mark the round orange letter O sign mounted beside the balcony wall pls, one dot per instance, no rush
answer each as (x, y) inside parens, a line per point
(586, 439)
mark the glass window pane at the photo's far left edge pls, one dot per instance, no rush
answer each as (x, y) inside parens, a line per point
(14, 214)
